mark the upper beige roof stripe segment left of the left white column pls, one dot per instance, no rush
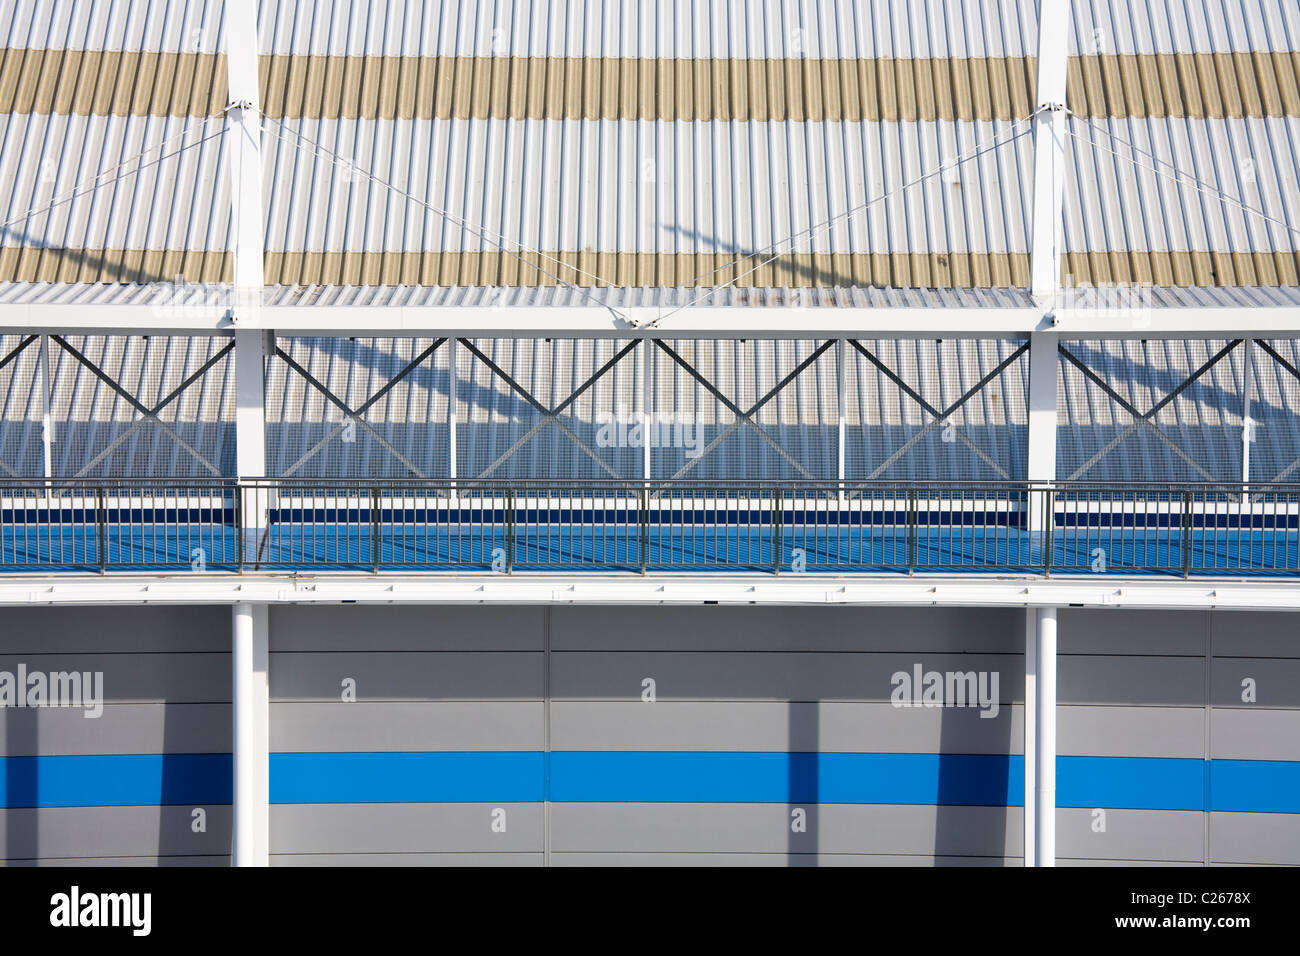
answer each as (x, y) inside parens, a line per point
(92, 83)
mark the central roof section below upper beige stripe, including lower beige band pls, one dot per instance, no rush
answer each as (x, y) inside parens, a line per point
(648, 205)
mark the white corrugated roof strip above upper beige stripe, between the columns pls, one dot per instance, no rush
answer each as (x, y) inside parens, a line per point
(686, 29)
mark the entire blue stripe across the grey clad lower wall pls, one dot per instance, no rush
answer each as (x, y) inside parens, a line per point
(653, 777)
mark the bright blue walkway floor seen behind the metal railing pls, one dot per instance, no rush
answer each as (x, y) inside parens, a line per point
(76, 547)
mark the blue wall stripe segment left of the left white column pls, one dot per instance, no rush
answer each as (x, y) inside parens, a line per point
(131, 780)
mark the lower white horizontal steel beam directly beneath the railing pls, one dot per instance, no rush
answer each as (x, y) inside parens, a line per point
(865, 591)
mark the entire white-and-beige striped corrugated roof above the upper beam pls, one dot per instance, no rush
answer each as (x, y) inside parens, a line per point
(653, 145)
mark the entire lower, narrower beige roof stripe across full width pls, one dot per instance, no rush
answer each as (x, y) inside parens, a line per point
(645, 270)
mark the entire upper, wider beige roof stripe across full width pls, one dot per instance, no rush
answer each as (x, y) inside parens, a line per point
(908, 90)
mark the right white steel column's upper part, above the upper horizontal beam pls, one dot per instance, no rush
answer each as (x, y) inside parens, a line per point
(1050, 133)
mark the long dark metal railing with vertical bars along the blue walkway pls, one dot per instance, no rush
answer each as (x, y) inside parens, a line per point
(287, 525)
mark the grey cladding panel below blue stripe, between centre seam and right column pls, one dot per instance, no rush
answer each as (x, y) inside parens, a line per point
(766, 829)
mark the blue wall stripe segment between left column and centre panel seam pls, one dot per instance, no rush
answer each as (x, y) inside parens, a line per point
(406, 778)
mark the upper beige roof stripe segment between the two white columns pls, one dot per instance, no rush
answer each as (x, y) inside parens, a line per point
(636, 89)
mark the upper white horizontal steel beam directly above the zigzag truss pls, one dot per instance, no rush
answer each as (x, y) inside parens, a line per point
(591, 322)
